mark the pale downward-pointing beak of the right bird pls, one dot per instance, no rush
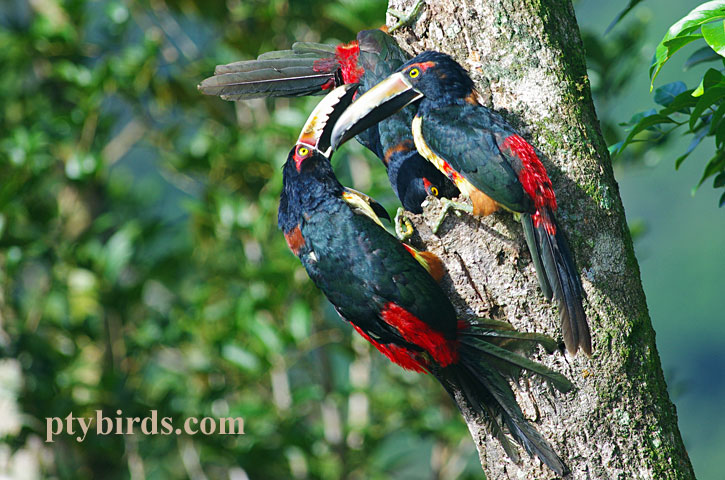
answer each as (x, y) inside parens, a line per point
(378, 103)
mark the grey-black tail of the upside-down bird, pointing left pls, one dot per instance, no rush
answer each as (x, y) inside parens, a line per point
(307, 69)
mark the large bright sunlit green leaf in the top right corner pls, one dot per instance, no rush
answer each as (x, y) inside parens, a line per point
(705, 13)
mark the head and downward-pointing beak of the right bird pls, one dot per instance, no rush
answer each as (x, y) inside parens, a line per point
(432, 76)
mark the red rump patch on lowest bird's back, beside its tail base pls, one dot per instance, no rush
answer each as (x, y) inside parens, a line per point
(415, 331)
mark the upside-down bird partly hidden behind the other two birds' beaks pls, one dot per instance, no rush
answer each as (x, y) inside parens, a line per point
(314, 68)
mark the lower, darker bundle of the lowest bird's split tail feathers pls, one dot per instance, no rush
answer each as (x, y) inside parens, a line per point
(489, 394)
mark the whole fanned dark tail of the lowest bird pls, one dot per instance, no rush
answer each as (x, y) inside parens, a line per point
(479, 378)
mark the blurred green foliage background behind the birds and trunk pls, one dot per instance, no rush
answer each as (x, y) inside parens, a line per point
(141, 267)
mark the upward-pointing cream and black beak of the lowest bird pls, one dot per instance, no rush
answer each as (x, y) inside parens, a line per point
(318, 129)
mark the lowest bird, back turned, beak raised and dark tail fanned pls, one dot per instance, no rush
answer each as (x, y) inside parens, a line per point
(380, 286)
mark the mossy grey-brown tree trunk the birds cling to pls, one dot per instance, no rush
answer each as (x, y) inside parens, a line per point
(527, 59)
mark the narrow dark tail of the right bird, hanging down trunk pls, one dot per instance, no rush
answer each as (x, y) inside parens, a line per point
(559, 278)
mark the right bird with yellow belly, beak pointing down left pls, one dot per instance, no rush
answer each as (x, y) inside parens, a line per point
(487, 160)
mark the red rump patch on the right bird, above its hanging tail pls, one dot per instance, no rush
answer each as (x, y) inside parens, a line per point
(535, 180)
